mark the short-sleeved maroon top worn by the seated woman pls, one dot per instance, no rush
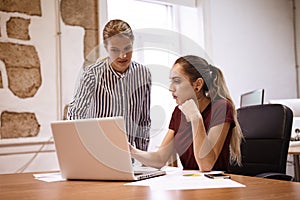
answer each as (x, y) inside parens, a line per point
(217, 112)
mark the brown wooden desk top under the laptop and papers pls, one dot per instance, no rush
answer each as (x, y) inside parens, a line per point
(24, 186)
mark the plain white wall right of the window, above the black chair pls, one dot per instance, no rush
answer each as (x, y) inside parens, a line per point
(252, 42)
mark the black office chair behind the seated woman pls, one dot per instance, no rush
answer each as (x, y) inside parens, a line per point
(267, 132)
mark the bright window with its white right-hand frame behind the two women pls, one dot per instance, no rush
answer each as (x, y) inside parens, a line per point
(158, 43)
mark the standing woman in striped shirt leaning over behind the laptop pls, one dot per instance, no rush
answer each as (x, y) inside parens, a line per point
(116, 86)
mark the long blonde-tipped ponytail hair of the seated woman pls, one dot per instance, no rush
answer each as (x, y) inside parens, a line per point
(215, 88)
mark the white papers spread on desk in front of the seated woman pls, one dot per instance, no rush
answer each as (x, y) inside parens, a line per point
(185, 180)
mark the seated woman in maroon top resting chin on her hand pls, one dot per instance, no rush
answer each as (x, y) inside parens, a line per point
(203, 130)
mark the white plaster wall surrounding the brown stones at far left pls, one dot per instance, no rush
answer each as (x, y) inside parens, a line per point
(36, 153)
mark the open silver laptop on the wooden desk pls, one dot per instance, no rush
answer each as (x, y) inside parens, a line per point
(96, 149)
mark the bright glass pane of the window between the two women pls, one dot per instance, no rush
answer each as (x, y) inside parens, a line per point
(148, 50)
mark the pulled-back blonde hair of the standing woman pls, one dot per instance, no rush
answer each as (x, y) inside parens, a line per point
(117, 27)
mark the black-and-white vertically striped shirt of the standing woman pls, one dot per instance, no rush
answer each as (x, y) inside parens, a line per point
(103, 92)
